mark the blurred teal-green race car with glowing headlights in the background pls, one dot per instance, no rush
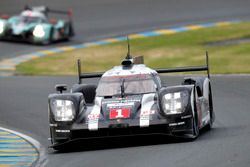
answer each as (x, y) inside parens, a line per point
(33, 25)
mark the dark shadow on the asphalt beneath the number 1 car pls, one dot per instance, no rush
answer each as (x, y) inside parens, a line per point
(118, 142)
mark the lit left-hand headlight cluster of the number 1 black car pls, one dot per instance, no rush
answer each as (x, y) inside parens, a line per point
(63, 110)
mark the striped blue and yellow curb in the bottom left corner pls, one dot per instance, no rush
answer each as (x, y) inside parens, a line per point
(17, 149)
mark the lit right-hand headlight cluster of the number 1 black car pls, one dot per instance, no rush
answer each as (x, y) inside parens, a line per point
(174, 103)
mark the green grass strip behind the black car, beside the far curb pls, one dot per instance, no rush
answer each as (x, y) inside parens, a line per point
(181, 49)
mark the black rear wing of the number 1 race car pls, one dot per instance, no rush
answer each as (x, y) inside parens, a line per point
(160, 70)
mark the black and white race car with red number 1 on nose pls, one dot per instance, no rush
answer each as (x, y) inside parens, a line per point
(130, 100)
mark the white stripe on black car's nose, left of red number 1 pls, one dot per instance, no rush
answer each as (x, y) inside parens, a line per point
(93, 117)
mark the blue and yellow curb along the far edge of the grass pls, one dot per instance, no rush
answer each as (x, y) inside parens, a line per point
(10, 64)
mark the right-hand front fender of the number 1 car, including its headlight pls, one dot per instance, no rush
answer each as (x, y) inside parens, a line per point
(178, 104)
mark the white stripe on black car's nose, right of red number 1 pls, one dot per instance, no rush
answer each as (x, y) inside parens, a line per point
(147, 103)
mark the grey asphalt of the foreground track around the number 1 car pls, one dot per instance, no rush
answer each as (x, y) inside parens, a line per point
(25, 107)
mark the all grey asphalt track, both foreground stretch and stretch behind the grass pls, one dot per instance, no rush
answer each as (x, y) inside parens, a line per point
(23, 100)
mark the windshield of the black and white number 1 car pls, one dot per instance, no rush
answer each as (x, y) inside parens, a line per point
(134, 84)
